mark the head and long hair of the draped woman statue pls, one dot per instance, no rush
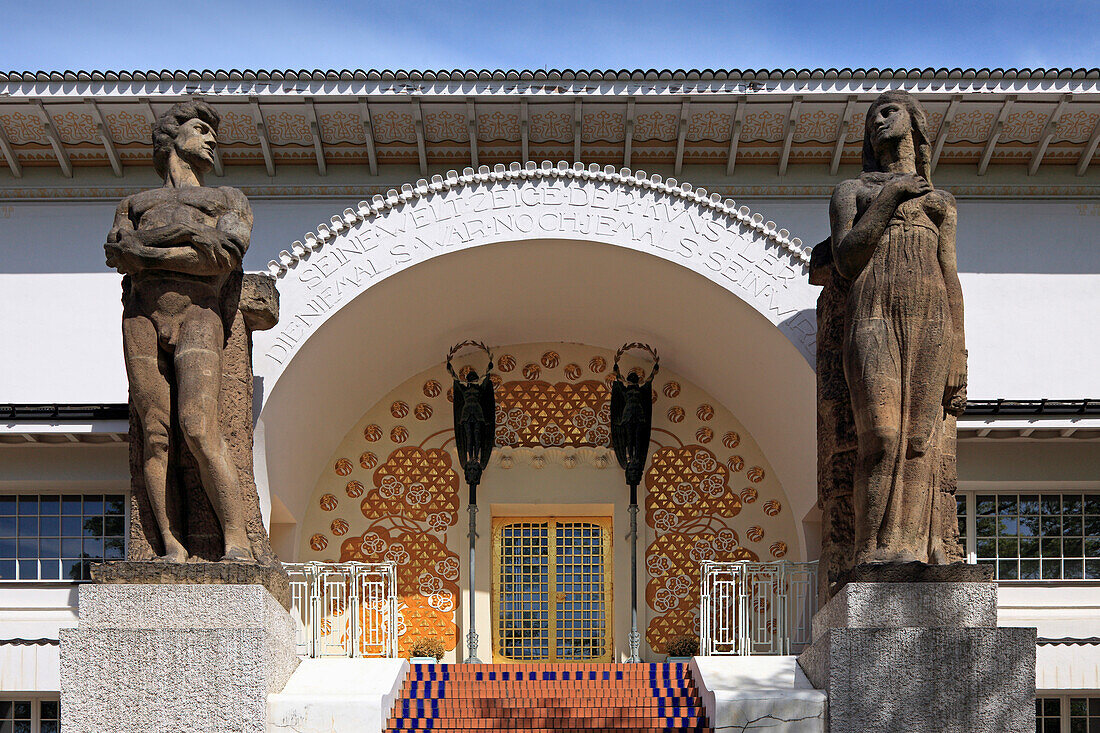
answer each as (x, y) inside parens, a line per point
(897, 119)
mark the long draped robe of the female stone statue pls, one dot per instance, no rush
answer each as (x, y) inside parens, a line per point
(898, 352)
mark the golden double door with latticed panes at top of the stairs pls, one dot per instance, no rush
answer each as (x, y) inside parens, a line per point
(553, 589)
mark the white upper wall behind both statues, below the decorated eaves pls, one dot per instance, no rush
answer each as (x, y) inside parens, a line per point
(1030, 268)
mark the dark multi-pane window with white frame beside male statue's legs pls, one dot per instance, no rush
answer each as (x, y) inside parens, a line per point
(59, 537)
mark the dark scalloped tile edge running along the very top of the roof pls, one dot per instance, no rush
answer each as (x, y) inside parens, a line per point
(556, 75)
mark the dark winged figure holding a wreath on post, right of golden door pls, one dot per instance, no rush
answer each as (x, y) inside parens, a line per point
(632, 419)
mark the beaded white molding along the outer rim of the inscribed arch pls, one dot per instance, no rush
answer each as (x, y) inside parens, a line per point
(316, 240)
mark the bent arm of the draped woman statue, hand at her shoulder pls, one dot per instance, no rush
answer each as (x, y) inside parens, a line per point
(854, 243)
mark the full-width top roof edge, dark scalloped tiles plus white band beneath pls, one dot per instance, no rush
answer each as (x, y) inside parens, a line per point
(355, 83)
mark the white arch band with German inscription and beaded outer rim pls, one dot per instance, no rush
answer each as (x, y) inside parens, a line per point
(754, 259)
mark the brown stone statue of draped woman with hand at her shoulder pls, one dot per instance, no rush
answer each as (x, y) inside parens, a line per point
(905, 354)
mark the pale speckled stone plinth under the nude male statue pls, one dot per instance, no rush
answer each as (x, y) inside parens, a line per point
(180, 659)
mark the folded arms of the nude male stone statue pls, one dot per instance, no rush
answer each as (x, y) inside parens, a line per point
(189, 248)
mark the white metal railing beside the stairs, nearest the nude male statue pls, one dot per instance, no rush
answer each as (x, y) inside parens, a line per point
(345, 609)
